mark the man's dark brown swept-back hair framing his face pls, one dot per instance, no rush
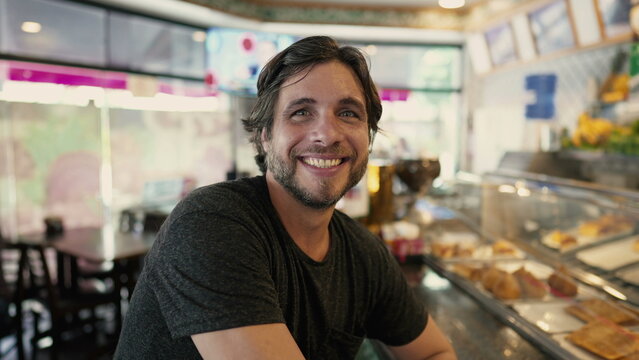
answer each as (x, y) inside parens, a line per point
(300, 56)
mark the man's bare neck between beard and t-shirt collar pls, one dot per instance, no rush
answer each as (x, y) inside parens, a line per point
(307, 227)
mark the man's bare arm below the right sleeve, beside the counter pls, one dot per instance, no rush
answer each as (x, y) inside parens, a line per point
(431, 344)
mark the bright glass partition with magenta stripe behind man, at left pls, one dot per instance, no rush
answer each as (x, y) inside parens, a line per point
(83, 153)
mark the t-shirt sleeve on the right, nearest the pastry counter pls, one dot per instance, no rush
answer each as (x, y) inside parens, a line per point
(397, 316)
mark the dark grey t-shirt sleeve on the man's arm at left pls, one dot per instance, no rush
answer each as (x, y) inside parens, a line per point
(212, 273)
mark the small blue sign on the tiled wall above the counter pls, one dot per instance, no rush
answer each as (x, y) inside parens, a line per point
(544, 87)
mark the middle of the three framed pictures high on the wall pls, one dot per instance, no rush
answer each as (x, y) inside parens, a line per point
(551, 27)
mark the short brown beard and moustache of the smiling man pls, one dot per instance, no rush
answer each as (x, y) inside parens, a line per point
(284, 173)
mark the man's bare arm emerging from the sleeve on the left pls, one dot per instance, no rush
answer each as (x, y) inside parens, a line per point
(256, 342)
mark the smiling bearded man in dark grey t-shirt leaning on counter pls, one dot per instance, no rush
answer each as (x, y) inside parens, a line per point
(265, 267)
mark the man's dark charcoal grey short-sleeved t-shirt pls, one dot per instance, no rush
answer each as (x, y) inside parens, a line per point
(223, 259)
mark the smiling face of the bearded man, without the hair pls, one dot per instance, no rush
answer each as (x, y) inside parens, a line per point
(319, 141)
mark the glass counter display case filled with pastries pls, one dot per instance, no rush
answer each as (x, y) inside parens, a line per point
(557, 260)
